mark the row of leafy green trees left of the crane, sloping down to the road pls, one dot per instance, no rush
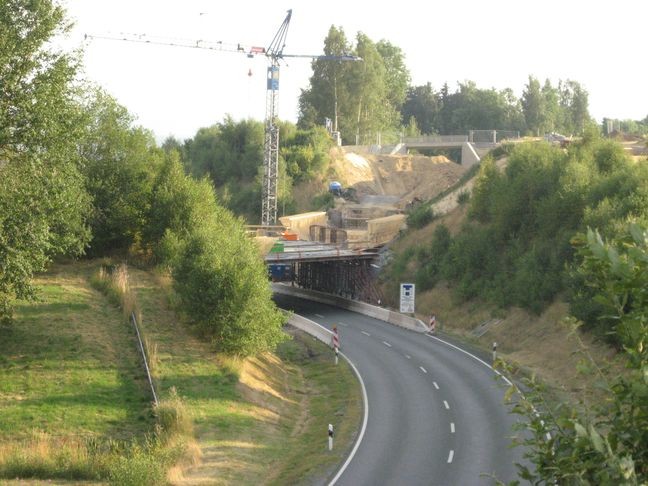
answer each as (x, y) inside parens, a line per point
(77, 177)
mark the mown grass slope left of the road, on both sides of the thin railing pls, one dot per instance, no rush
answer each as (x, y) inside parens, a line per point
(69, 367)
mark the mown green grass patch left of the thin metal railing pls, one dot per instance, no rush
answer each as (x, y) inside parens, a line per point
(69, 366)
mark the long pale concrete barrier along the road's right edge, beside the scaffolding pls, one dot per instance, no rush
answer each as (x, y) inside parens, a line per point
(374, 311)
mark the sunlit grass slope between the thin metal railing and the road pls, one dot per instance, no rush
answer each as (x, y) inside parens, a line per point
(255, 419)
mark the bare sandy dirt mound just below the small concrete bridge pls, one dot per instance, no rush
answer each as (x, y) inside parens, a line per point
(405, 176)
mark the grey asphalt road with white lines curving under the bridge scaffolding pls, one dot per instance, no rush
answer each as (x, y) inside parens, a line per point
(436, 413)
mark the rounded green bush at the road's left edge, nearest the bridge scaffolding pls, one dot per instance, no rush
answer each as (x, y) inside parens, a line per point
(223, 289)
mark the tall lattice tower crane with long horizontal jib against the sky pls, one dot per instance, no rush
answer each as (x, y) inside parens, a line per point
(274, 52)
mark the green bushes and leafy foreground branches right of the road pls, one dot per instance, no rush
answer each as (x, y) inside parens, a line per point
(560, 224)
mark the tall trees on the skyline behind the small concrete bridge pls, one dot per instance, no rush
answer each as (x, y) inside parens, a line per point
(375, 96)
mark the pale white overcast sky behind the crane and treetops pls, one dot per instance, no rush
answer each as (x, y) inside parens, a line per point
(175, 91)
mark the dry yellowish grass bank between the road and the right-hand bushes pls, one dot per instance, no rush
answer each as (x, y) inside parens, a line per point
(542, 344)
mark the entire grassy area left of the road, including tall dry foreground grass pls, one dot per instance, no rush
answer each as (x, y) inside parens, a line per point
(74, 404)
